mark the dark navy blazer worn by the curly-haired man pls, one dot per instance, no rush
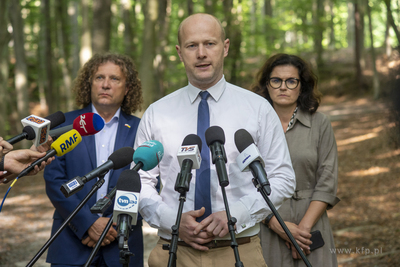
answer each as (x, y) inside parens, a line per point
(67, 248)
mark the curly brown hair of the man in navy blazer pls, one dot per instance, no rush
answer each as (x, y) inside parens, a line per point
(83, 83)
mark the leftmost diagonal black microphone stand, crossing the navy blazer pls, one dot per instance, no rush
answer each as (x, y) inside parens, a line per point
(95, 187)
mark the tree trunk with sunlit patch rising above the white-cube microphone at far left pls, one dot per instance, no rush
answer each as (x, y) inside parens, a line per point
(20, 70)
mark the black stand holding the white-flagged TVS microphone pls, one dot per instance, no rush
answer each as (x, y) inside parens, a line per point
(181, 186)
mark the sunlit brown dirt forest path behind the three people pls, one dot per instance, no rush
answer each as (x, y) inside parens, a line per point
(366, 222)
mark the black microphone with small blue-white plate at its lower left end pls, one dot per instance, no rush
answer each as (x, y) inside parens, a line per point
(118, 159)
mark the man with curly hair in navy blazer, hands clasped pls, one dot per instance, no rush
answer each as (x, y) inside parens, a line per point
(108, 85)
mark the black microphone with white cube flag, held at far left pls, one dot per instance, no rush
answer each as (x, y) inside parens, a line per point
(37, 128)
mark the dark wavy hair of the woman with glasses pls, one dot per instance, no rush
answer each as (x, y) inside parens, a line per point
(309, 98)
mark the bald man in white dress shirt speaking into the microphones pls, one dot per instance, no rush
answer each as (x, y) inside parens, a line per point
(202, 48)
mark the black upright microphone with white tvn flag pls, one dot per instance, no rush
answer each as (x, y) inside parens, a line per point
(126, 204)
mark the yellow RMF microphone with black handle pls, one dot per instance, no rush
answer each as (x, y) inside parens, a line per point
(60, 147)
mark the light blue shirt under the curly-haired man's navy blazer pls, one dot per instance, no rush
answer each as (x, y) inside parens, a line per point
(105, 141)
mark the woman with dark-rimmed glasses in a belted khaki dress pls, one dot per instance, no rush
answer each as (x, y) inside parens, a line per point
(289, 84)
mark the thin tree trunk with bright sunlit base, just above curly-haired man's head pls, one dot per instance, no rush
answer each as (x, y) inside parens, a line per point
(86, 38)
